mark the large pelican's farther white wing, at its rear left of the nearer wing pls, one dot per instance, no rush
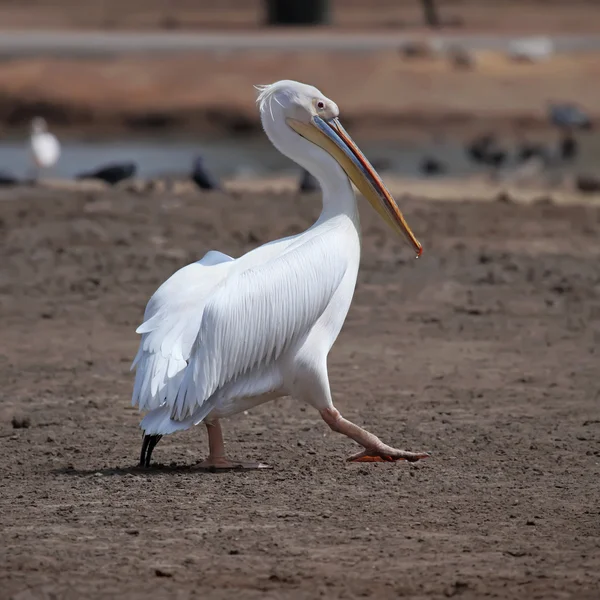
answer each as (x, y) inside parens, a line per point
(171, 324)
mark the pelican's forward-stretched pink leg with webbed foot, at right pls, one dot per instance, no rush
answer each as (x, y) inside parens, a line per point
(374, 449)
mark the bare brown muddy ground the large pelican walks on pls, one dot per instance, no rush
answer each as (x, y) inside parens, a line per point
(484, 353)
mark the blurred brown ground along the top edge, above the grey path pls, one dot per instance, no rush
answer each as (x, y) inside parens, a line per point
(573, 16)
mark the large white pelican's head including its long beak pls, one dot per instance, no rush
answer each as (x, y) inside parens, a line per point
(303, 124)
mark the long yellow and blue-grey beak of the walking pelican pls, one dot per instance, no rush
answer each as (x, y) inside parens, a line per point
(333, 138)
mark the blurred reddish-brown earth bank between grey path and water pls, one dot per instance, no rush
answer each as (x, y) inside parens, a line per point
(208, 93)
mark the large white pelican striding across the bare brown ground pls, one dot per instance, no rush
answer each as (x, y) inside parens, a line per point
(223, 335)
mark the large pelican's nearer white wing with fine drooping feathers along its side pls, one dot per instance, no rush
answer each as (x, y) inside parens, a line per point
(252, 318)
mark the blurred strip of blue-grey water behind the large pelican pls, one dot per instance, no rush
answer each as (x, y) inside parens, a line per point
(254, 156)
